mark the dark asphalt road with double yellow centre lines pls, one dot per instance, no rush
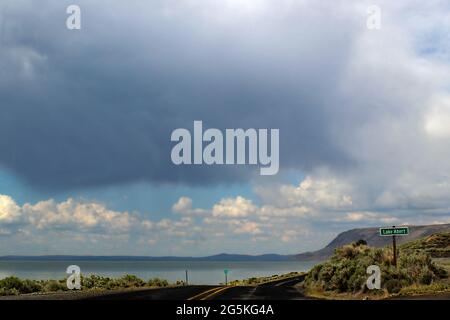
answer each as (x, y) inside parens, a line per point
(276, 290)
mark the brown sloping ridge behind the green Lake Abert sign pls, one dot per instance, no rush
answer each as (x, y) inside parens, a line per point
(372, 237)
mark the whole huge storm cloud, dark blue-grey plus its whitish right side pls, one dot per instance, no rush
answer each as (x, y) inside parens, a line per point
(96, 106)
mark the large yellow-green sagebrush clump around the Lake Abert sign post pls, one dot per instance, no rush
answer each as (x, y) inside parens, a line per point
(346, 270)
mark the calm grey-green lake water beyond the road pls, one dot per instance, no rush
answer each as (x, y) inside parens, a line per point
(209, 272)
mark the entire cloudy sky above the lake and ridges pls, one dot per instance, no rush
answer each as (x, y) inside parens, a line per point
(87, 115)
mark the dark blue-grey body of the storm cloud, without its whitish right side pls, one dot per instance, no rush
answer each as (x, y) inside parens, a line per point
(97, 106)
